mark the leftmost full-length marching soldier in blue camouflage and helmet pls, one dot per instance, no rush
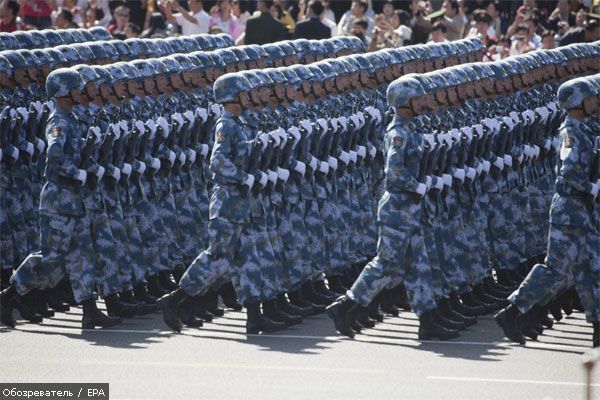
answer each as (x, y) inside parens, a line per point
(65, 244)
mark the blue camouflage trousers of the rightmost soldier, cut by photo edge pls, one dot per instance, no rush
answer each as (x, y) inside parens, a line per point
(572, 254)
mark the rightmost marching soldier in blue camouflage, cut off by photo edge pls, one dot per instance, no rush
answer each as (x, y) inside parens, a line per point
(573, 231)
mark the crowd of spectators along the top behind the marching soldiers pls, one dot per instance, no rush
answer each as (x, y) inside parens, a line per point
(506, 27)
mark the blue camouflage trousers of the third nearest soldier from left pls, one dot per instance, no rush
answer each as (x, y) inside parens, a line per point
(400, 253)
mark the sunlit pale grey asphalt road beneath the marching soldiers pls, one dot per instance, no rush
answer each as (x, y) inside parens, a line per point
(141, 359)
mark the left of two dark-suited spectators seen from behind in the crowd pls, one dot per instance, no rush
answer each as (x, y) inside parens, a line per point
(261, 28)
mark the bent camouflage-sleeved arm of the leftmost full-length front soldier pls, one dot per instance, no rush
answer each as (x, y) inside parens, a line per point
(56, 136)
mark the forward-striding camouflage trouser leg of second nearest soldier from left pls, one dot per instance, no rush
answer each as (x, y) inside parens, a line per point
(217, 260)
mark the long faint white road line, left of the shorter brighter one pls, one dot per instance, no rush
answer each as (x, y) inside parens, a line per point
(234, 366)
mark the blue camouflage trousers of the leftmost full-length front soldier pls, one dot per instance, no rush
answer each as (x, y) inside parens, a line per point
(65, 248)
